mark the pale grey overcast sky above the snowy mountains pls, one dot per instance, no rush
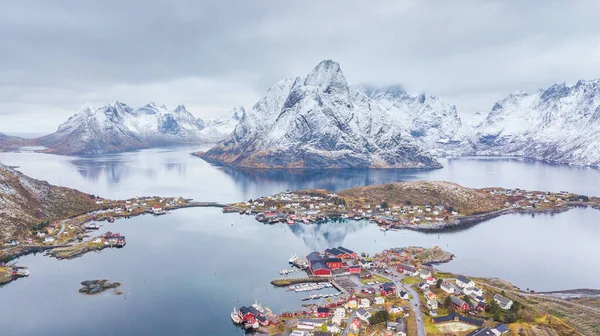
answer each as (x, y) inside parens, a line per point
(212, 55)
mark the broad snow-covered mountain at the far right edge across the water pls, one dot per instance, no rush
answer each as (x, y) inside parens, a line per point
(560, 124)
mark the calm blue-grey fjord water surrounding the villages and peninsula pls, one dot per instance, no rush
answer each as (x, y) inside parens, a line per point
(183, 273)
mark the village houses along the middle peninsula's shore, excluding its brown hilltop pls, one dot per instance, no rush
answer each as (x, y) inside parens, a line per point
(316, 206)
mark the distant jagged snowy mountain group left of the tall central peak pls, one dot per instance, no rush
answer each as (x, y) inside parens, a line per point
(117, 127)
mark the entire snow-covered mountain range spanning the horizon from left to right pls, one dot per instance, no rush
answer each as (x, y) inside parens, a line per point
(318, 121)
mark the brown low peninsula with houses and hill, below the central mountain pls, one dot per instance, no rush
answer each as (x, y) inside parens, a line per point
(420, 205)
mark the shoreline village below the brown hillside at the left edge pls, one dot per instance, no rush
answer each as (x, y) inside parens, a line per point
(75, 236)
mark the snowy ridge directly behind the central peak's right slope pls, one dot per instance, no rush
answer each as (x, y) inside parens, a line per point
(434, 124)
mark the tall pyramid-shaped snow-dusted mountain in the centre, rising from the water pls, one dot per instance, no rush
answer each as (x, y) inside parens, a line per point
(317, 121)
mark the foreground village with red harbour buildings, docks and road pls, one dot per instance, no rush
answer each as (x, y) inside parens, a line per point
(391, 293)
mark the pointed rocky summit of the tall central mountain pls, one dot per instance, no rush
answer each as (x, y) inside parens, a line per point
(328, 76)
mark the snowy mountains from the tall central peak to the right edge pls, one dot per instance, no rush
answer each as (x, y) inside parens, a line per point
(318, 121)
